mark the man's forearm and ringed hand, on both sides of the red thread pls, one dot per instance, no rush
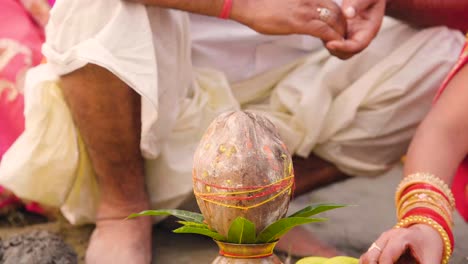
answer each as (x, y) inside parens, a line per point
(318, 18)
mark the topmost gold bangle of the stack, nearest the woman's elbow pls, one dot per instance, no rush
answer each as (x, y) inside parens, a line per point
(425, 178)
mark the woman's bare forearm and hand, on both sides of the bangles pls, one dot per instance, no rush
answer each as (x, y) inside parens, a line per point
(438, 147)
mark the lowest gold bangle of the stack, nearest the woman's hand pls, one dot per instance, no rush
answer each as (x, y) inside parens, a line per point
(417, 219)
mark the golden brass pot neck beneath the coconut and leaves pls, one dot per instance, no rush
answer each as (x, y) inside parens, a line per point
(230, 253)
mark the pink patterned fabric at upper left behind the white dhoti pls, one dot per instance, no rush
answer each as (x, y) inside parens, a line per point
(21, 36)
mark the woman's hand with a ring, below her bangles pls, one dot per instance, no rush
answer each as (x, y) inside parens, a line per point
(418, 243)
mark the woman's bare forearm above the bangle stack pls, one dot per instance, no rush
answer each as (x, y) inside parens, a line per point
(441, 141)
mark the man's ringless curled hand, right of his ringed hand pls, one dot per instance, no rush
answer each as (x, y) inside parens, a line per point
(364, 19)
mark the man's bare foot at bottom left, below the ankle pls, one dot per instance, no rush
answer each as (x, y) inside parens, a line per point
(119, 241)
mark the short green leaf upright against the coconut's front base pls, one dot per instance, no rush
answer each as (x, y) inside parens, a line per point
(241, 231)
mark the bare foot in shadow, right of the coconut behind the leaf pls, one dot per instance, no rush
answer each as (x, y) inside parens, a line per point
(299, 242)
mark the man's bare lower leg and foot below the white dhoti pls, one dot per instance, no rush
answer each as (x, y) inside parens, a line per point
(107, 114)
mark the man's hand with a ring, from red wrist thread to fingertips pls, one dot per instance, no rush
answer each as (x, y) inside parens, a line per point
(282, 17)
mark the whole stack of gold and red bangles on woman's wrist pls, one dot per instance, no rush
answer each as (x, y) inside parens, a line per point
(422, 198)
